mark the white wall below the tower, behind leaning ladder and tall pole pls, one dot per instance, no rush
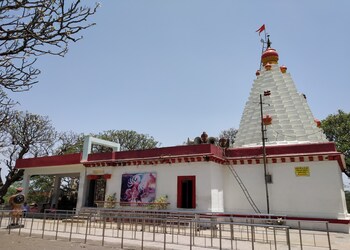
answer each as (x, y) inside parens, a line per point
(318, 195)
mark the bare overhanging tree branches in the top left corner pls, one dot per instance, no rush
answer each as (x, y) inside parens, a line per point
(29, 29)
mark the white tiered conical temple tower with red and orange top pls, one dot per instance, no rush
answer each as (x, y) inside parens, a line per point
(288, 111)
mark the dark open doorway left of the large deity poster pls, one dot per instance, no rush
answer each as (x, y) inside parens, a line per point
(97, 192)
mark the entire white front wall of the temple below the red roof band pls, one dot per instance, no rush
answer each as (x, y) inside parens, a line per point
(318, 195)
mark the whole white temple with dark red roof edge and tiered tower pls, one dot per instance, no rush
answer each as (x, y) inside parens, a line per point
(281, 164)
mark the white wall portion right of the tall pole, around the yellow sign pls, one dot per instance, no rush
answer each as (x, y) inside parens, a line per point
(318, 195)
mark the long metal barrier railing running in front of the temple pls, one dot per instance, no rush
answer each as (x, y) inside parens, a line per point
(163, 229)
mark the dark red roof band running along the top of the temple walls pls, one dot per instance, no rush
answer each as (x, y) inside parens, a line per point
(191, 154)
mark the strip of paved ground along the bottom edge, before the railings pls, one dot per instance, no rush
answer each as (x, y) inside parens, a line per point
(13, 240)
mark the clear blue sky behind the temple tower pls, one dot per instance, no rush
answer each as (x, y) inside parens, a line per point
(173, 69)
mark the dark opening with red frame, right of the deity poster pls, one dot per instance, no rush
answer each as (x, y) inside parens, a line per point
(186, 191)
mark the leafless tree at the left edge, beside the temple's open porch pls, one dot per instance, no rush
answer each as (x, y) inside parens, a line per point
(26, 135)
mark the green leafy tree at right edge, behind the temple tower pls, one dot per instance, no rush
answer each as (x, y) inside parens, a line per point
(337, 129)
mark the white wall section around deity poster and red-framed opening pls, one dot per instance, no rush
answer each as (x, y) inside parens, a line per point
(209, 190)
